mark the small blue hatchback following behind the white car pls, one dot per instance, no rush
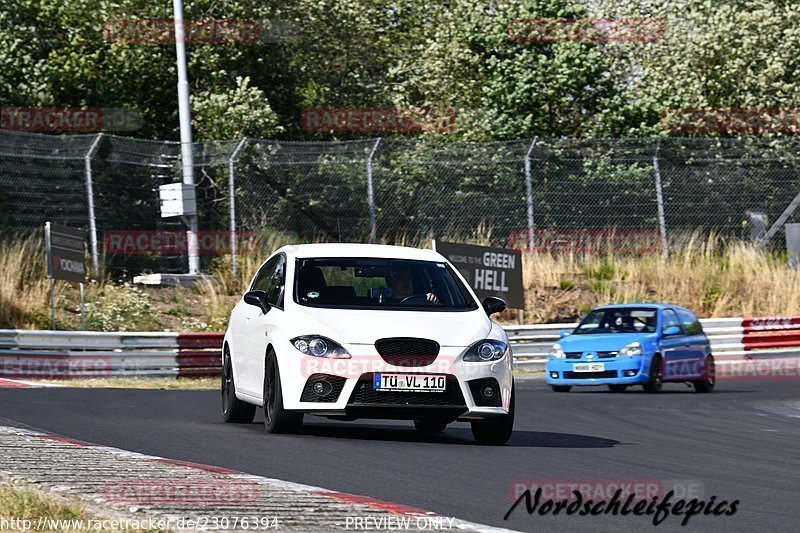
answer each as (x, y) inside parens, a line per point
(633, 344)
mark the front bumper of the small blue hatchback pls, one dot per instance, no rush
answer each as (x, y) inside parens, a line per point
(616, 371)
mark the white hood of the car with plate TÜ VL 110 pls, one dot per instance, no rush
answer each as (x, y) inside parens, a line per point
(367, 326)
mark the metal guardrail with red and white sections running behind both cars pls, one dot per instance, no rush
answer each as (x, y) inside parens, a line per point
(67, 354)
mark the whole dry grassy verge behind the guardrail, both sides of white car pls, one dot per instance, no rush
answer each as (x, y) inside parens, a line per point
(706, 274)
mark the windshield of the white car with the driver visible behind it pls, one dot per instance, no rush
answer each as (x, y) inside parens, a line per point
(375, 283)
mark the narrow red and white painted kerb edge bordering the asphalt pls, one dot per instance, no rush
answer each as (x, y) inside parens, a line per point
(344, 502)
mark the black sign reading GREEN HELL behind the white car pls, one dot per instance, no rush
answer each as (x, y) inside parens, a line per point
(489, 271)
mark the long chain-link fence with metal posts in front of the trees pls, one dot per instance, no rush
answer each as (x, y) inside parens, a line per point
(638, 195)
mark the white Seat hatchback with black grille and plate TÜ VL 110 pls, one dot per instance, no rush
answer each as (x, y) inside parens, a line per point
(349, 331)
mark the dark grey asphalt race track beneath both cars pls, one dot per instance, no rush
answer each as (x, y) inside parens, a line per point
(741, 442)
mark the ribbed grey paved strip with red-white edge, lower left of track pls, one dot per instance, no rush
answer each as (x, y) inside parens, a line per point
(156, 493)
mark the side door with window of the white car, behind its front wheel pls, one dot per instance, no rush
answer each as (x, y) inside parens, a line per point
(257, 325)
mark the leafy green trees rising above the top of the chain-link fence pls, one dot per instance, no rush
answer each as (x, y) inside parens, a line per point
(407, 53)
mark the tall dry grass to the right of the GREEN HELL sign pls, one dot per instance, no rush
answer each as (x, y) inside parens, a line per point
(703, 274)
